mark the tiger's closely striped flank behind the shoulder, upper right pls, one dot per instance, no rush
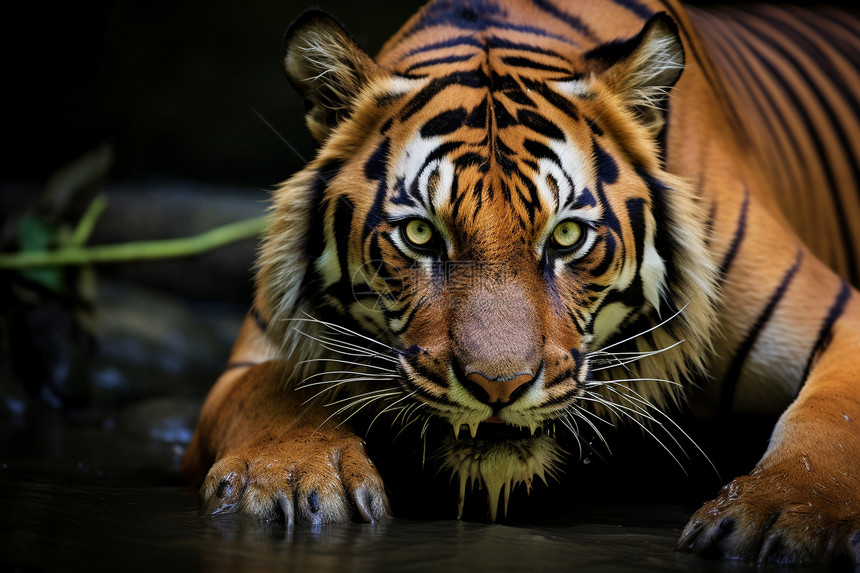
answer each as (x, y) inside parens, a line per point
(793, 75)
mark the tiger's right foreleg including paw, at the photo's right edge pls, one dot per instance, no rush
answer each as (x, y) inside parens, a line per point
(802, 500)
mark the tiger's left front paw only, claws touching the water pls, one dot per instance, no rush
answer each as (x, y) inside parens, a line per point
(307, 478)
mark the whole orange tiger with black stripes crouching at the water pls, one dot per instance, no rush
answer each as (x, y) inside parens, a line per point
(538, 215)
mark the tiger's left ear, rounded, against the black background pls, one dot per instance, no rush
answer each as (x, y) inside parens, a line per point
(326, 67)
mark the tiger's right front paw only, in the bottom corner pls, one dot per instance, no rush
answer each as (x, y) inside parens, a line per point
(769, 518)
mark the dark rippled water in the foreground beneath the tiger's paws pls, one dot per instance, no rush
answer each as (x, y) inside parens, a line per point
(99, 523)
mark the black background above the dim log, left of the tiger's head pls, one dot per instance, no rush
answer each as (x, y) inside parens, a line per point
(171, 85)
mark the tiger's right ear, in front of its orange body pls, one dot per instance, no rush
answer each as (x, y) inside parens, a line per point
(643, 69)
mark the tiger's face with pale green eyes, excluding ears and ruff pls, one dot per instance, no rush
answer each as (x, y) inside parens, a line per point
(497, 268)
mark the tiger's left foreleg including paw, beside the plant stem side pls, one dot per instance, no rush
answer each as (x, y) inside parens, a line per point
(275, 456)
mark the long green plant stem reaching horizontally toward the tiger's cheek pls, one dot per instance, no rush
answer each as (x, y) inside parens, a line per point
(137, 251)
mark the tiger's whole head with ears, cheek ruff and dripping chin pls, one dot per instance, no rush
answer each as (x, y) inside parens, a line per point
(500, 228)
